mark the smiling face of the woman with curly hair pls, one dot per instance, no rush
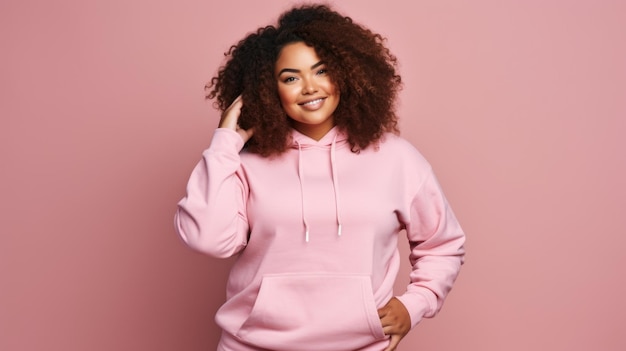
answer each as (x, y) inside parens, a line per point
(306, 92)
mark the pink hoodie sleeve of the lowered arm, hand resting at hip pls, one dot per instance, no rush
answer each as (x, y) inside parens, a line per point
(437, 252)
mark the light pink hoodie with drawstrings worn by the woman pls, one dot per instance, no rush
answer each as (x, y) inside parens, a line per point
(316, 231)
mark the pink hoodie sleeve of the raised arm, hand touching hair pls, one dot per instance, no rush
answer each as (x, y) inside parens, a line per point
(211, 218)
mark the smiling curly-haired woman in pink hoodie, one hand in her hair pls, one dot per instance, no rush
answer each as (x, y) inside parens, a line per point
(307, 182)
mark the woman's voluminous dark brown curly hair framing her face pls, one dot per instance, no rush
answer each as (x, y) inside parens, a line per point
(359, 64)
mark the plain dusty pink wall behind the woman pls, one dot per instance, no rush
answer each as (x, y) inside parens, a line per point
(519, 105)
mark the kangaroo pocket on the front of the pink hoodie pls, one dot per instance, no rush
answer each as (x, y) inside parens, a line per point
(313, 312)
